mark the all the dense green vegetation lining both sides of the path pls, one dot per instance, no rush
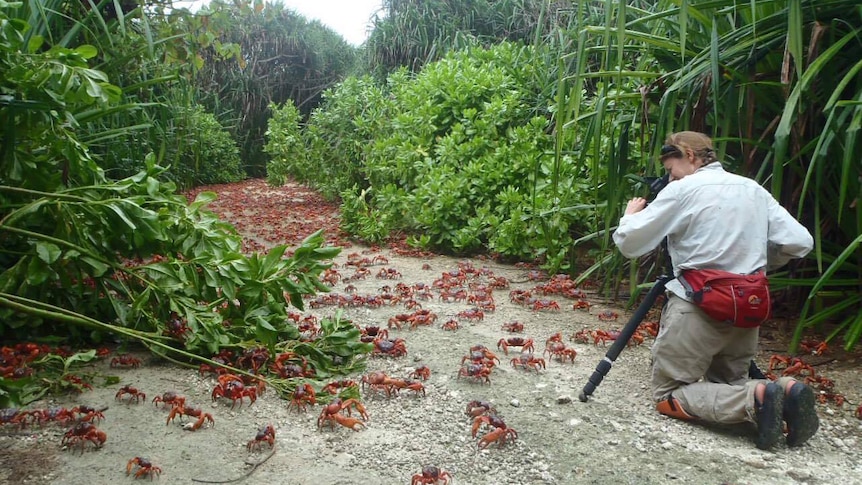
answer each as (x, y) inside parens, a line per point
(514, 127)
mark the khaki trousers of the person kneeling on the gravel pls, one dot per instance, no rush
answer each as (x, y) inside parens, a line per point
(704, 363)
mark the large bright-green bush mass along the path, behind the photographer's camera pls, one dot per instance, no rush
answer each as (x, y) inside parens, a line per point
(457, 156)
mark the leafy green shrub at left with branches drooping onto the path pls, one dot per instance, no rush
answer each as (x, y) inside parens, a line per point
(83, 257)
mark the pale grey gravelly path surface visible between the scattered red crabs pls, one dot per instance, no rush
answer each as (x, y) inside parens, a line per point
(615, 438)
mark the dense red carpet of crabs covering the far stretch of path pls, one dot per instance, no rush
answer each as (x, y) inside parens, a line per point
(268, 216)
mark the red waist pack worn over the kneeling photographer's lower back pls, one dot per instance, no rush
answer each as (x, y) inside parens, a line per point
(740, 300)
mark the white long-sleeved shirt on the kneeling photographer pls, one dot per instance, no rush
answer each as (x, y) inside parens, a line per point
(714, 219)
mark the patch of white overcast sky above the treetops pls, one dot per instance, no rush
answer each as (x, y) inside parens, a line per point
(350, 18)
